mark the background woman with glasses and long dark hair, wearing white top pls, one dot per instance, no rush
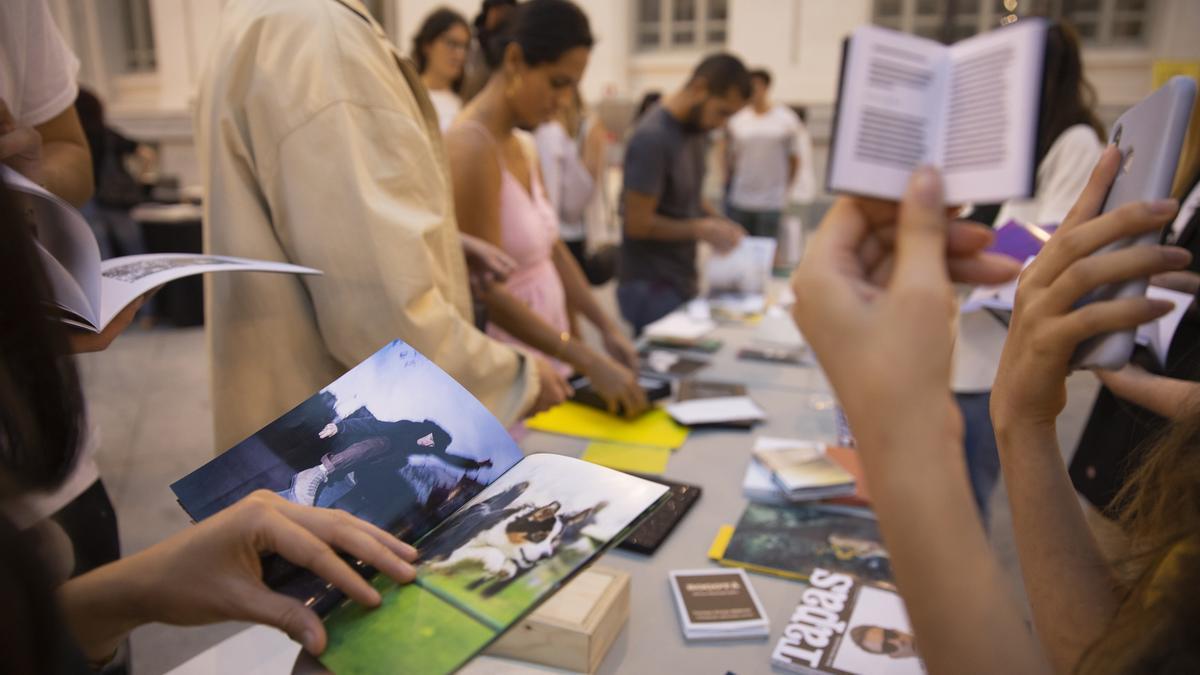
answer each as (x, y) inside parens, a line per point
(440, 51)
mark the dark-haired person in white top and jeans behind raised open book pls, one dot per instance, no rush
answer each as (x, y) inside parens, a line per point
(1071, 140)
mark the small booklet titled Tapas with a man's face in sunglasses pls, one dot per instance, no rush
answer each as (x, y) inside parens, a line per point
(845, 626)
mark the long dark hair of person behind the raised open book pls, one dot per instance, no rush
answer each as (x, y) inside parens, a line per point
(1067, 98)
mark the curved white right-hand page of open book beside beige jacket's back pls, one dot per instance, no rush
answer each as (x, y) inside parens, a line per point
(125, 279)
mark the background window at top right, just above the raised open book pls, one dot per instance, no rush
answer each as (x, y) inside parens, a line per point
(1101, 23)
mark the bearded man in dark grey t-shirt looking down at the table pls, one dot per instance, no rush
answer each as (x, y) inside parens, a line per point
(663, 202)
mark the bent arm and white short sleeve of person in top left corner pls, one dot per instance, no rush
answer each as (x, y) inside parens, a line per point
(40, 134)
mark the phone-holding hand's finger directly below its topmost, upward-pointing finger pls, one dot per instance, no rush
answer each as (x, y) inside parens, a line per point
(1066, 248)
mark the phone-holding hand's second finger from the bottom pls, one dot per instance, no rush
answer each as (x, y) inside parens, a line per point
(1135, 262)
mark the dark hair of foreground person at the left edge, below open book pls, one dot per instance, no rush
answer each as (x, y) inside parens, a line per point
(41, 404)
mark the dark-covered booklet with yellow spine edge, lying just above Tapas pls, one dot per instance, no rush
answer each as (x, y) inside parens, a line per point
(790, 541)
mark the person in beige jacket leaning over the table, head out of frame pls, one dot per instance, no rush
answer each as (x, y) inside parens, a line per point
(320, 147)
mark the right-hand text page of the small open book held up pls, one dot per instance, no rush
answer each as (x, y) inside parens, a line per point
(991, 129)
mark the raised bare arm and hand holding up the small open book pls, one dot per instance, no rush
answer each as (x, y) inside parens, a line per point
(897, 397)
